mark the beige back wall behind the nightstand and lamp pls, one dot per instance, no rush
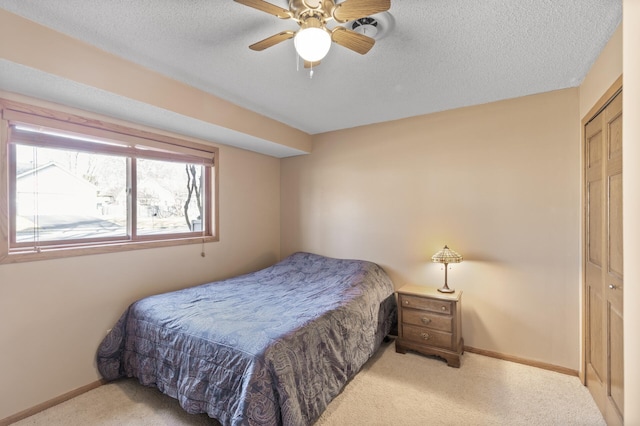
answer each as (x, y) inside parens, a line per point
(499, 183)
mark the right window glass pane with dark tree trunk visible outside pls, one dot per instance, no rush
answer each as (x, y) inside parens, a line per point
(169, 197)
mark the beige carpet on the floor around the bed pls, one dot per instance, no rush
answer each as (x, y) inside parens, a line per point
(392, 389)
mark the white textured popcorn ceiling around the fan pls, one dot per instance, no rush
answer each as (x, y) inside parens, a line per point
(435, 54)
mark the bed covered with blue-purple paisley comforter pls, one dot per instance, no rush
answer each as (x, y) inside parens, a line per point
(272, 347)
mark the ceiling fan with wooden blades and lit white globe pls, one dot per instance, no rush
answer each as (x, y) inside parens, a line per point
(313, 40)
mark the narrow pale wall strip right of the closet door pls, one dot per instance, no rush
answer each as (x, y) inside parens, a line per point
(631, 208)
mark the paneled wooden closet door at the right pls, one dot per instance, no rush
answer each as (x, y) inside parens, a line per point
(603, 260)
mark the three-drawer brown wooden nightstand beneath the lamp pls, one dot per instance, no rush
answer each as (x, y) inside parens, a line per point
(429, 322)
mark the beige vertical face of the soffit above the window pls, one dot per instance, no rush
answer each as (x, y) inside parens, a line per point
(46, 50)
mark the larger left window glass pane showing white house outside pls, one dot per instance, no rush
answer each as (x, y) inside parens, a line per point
(66, 195)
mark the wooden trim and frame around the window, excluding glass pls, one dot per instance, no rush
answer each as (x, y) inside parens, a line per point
(15, 113)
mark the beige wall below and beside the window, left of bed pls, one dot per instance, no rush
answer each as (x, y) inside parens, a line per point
(54, 313)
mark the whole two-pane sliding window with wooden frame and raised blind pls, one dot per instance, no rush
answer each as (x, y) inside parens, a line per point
(80, 186)
